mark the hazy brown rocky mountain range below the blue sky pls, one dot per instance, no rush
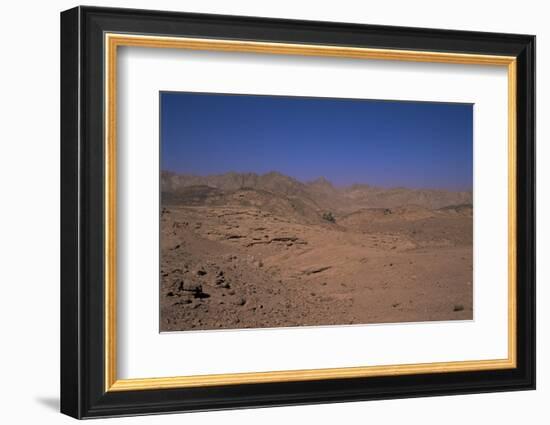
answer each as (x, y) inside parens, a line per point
(304, 198)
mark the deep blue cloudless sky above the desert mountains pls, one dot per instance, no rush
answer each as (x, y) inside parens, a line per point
(382, 143)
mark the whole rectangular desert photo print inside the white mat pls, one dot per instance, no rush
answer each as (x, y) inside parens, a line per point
(294, 211)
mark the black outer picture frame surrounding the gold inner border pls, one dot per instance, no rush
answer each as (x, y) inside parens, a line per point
(83, 392)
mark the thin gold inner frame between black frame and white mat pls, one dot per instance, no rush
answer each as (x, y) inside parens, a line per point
(113, 41)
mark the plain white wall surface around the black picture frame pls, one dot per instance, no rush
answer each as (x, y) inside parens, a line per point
(29, 225)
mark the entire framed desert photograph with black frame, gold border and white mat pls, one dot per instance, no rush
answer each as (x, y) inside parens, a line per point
(261, 212)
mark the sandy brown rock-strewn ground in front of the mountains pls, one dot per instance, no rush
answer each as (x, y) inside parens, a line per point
(242, 266)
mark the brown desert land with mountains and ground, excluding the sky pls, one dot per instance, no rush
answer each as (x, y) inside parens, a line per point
(247, 250)
